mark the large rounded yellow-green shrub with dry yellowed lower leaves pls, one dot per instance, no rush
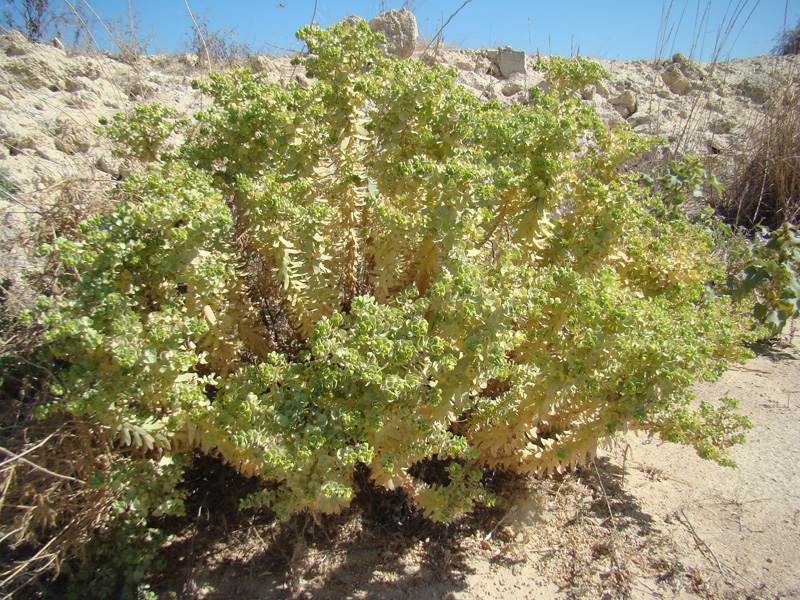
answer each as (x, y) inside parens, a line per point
(383, 270)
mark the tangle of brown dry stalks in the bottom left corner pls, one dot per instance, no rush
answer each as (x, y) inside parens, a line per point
(47, 513)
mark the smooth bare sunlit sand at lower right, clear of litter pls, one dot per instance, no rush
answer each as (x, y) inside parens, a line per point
(749, 518)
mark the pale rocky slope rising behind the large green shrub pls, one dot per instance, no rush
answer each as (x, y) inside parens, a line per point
(51, 99)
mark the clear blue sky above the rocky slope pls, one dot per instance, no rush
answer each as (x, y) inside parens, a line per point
(623, 29)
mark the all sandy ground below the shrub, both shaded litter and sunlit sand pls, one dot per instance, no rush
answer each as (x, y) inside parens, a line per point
(646, 520)
